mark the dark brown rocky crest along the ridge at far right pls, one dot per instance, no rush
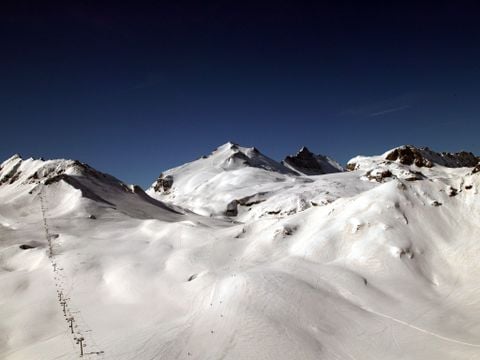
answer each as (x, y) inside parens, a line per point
(424, 157)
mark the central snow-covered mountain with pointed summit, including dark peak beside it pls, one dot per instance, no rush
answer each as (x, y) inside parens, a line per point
(244, 183)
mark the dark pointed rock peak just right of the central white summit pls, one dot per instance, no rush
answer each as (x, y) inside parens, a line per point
(308, 163)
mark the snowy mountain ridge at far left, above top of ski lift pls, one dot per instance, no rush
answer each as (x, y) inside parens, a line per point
(75, 183)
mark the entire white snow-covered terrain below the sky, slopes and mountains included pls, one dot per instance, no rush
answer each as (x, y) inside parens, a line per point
(237, 256)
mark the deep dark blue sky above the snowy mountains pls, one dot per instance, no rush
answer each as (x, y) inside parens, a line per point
(136, 88)
